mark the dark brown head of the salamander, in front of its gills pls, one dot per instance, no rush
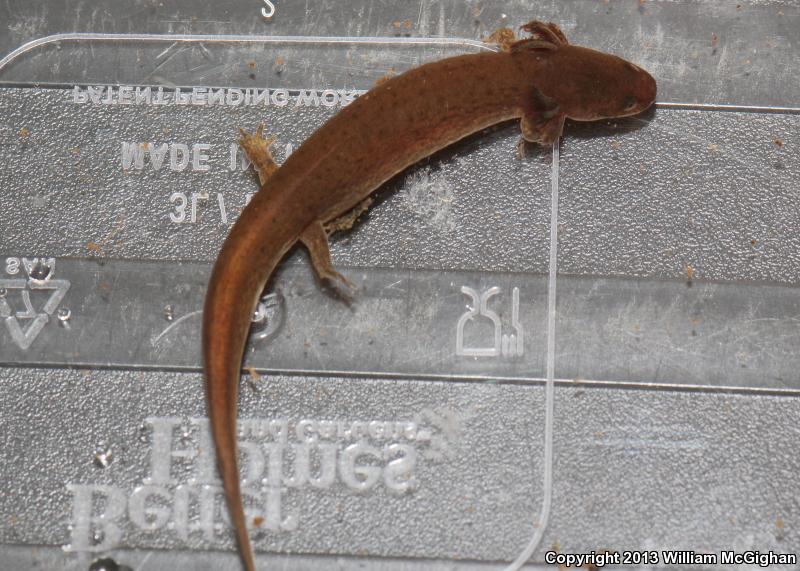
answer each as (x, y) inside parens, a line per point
(591, 85)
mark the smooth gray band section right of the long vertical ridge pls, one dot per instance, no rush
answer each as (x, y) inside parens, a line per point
(671, 332)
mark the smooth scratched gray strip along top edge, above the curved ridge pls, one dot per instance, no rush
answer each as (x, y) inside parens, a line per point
(708, 51)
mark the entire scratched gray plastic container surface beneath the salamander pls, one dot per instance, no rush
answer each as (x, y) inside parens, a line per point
(676, 316)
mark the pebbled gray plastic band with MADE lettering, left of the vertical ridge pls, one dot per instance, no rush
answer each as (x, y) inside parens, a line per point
(452, 212)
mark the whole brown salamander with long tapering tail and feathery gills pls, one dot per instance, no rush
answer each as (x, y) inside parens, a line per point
(540, 79)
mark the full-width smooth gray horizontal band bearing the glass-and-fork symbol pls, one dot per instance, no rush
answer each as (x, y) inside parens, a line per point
(404, 323)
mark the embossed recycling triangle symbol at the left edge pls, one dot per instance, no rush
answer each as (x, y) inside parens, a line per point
(24, 337)
